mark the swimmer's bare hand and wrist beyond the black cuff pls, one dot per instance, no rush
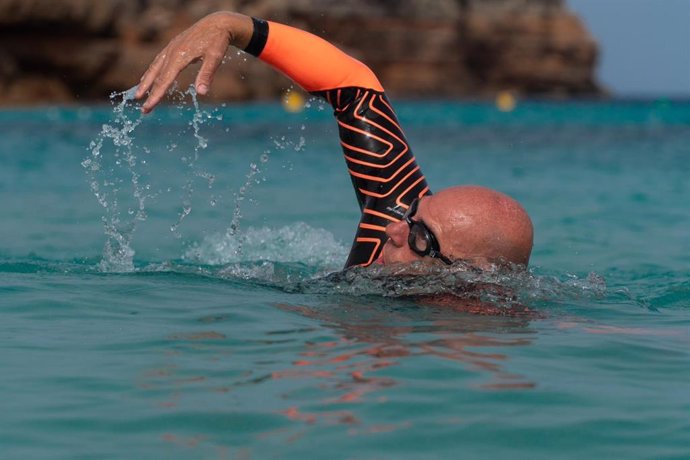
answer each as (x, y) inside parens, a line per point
(206, 41)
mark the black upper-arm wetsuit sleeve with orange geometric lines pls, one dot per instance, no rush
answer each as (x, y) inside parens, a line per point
(384, 172)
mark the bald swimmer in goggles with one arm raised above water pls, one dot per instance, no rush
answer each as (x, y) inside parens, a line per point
(401, 221)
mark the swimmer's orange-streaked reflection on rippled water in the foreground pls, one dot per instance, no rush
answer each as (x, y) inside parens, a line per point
(311, 378)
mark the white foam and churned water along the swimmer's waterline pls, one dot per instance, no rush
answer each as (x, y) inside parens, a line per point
(303, 259)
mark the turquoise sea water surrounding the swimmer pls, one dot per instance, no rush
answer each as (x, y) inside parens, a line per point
(184, 313)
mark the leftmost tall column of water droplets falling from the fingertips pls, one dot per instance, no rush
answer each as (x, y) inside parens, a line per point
(105, 179)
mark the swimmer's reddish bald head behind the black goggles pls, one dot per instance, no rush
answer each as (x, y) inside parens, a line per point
(480, 224)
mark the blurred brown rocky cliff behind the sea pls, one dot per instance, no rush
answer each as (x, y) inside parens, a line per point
(57, 51)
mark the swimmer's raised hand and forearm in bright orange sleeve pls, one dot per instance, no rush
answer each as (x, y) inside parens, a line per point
(310, 61)
